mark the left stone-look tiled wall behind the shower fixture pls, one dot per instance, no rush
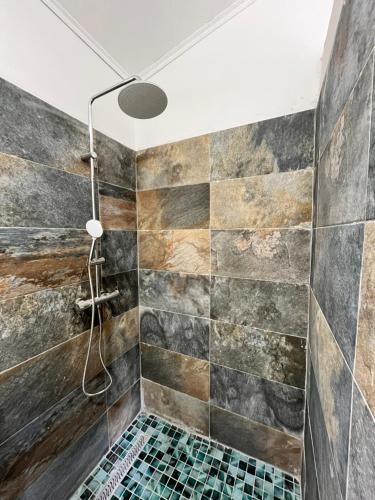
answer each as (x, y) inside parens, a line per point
(51, 435)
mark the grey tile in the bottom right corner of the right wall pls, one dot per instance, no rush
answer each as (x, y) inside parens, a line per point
(361, 481)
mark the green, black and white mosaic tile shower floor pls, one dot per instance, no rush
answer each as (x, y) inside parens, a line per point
(176, 464)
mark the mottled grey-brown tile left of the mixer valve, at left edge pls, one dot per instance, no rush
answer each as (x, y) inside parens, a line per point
(38, 321)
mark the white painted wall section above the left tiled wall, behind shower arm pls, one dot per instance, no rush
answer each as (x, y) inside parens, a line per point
(42, 56)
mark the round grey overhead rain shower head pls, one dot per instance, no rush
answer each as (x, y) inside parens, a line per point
(142, 100)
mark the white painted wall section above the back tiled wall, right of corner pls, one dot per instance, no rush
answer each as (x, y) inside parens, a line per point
(263, 63)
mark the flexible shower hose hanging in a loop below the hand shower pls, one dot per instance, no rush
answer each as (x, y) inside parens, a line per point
(93, 307)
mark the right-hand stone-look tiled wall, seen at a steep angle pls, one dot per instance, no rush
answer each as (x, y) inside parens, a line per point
(340, 418)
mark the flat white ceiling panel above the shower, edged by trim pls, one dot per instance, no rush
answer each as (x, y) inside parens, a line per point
(137, 33)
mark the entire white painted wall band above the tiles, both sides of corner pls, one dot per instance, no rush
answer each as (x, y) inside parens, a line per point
(263, 63)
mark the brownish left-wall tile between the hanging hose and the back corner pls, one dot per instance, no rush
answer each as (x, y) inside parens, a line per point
(120, 333)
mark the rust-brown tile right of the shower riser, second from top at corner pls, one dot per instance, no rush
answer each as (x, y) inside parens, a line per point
(117, 207)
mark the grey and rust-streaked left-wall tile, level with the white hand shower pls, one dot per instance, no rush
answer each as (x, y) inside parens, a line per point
(33, 259)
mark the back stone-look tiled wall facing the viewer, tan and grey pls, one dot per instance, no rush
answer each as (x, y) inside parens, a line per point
(224, 265)
